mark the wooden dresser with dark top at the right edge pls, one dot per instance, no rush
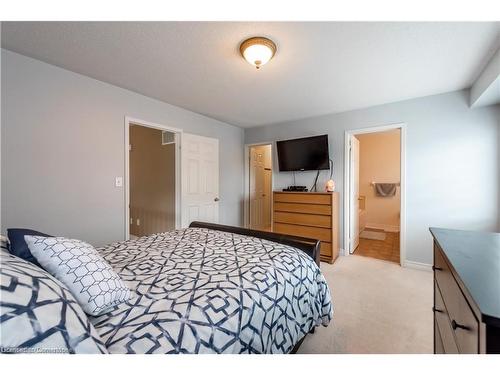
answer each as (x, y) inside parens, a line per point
(466, 291)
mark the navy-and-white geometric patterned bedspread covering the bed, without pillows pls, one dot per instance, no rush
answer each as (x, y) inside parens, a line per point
(205, 291)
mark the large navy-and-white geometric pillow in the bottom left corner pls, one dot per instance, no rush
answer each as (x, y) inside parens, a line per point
(39, 315)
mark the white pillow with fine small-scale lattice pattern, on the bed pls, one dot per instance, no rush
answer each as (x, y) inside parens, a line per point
(79, 266)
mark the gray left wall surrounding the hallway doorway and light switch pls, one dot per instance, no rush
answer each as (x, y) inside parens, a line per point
(63, 146)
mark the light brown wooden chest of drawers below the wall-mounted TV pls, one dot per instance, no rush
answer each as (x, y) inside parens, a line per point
(313, 215)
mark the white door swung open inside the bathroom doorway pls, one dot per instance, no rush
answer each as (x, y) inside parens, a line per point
(354, 195)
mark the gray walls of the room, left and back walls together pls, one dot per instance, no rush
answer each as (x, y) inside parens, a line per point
(62, 147)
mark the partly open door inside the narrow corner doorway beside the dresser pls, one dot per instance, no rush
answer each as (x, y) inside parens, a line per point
(257, 188)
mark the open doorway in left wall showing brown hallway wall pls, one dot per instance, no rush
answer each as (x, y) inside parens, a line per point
(152, 178)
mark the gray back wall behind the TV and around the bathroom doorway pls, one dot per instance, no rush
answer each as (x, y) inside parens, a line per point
(452, 163)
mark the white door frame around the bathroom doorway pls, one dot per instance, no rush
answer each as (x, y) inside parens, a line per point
(347, 189)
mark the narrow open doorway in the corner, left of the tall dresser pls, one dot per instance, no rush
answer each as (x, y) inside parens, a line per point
(260, 187)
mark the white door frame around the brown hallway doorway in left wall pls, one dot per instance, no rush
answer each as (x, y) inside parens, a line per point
(178, 196)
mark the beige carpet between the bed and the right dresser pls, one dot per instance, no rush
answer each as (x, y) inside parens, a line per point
(379, 307)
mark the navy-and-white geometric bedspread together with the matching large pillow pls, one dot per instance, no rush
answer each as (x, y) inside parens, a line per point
(193, 291)
